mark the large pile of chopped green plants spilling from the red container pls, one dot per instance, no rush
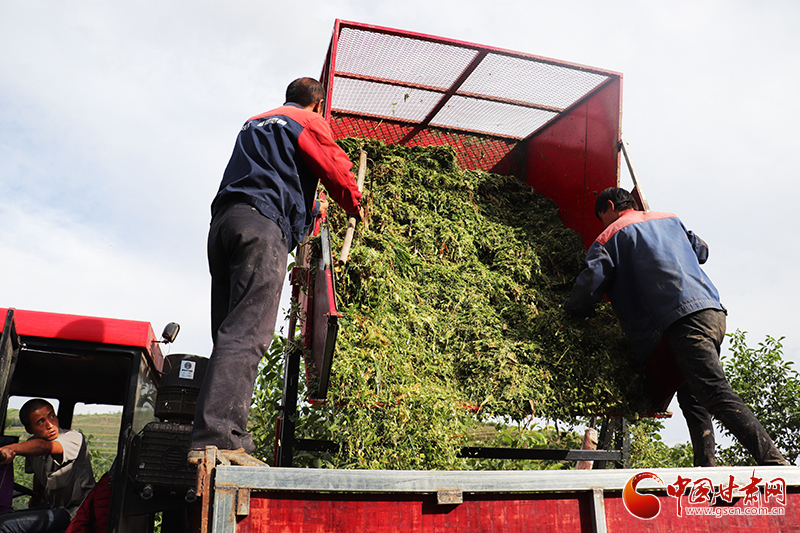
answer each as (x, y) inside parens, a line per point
(451, 303)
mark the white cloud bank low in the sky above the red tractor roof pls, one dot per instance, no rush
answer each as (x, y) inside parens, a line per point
(51, 263)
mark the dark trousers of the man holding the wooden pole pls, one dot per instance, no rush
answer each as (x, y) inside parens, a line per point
(247, 257)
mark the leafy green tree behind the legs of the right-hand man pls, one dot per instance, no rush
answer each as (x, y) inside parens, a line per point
(770, 386)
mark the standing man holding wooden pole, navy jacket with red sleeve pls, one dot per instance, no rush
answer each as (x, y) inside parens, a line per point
(264, 205)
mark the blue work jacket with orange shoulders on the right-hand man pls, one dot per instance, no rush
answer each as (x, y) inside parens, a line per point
(649, 266)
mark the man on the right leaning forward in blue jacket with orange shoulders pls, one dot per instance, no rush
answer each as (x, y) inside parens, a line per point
(649, 266)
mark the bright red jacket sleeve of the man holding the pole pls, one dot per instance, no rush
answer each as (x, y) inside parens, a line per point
(330, 164)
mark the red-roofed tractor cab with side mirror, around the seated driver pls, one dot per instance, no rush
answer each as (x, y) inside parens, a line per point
(78, 359)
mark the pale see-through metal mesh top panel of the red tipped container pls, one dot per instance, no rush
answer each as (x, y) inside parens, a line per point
(430, 81)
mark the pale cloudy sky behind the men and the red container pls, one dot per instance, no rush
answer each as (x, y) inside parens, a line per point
(118, 118)
